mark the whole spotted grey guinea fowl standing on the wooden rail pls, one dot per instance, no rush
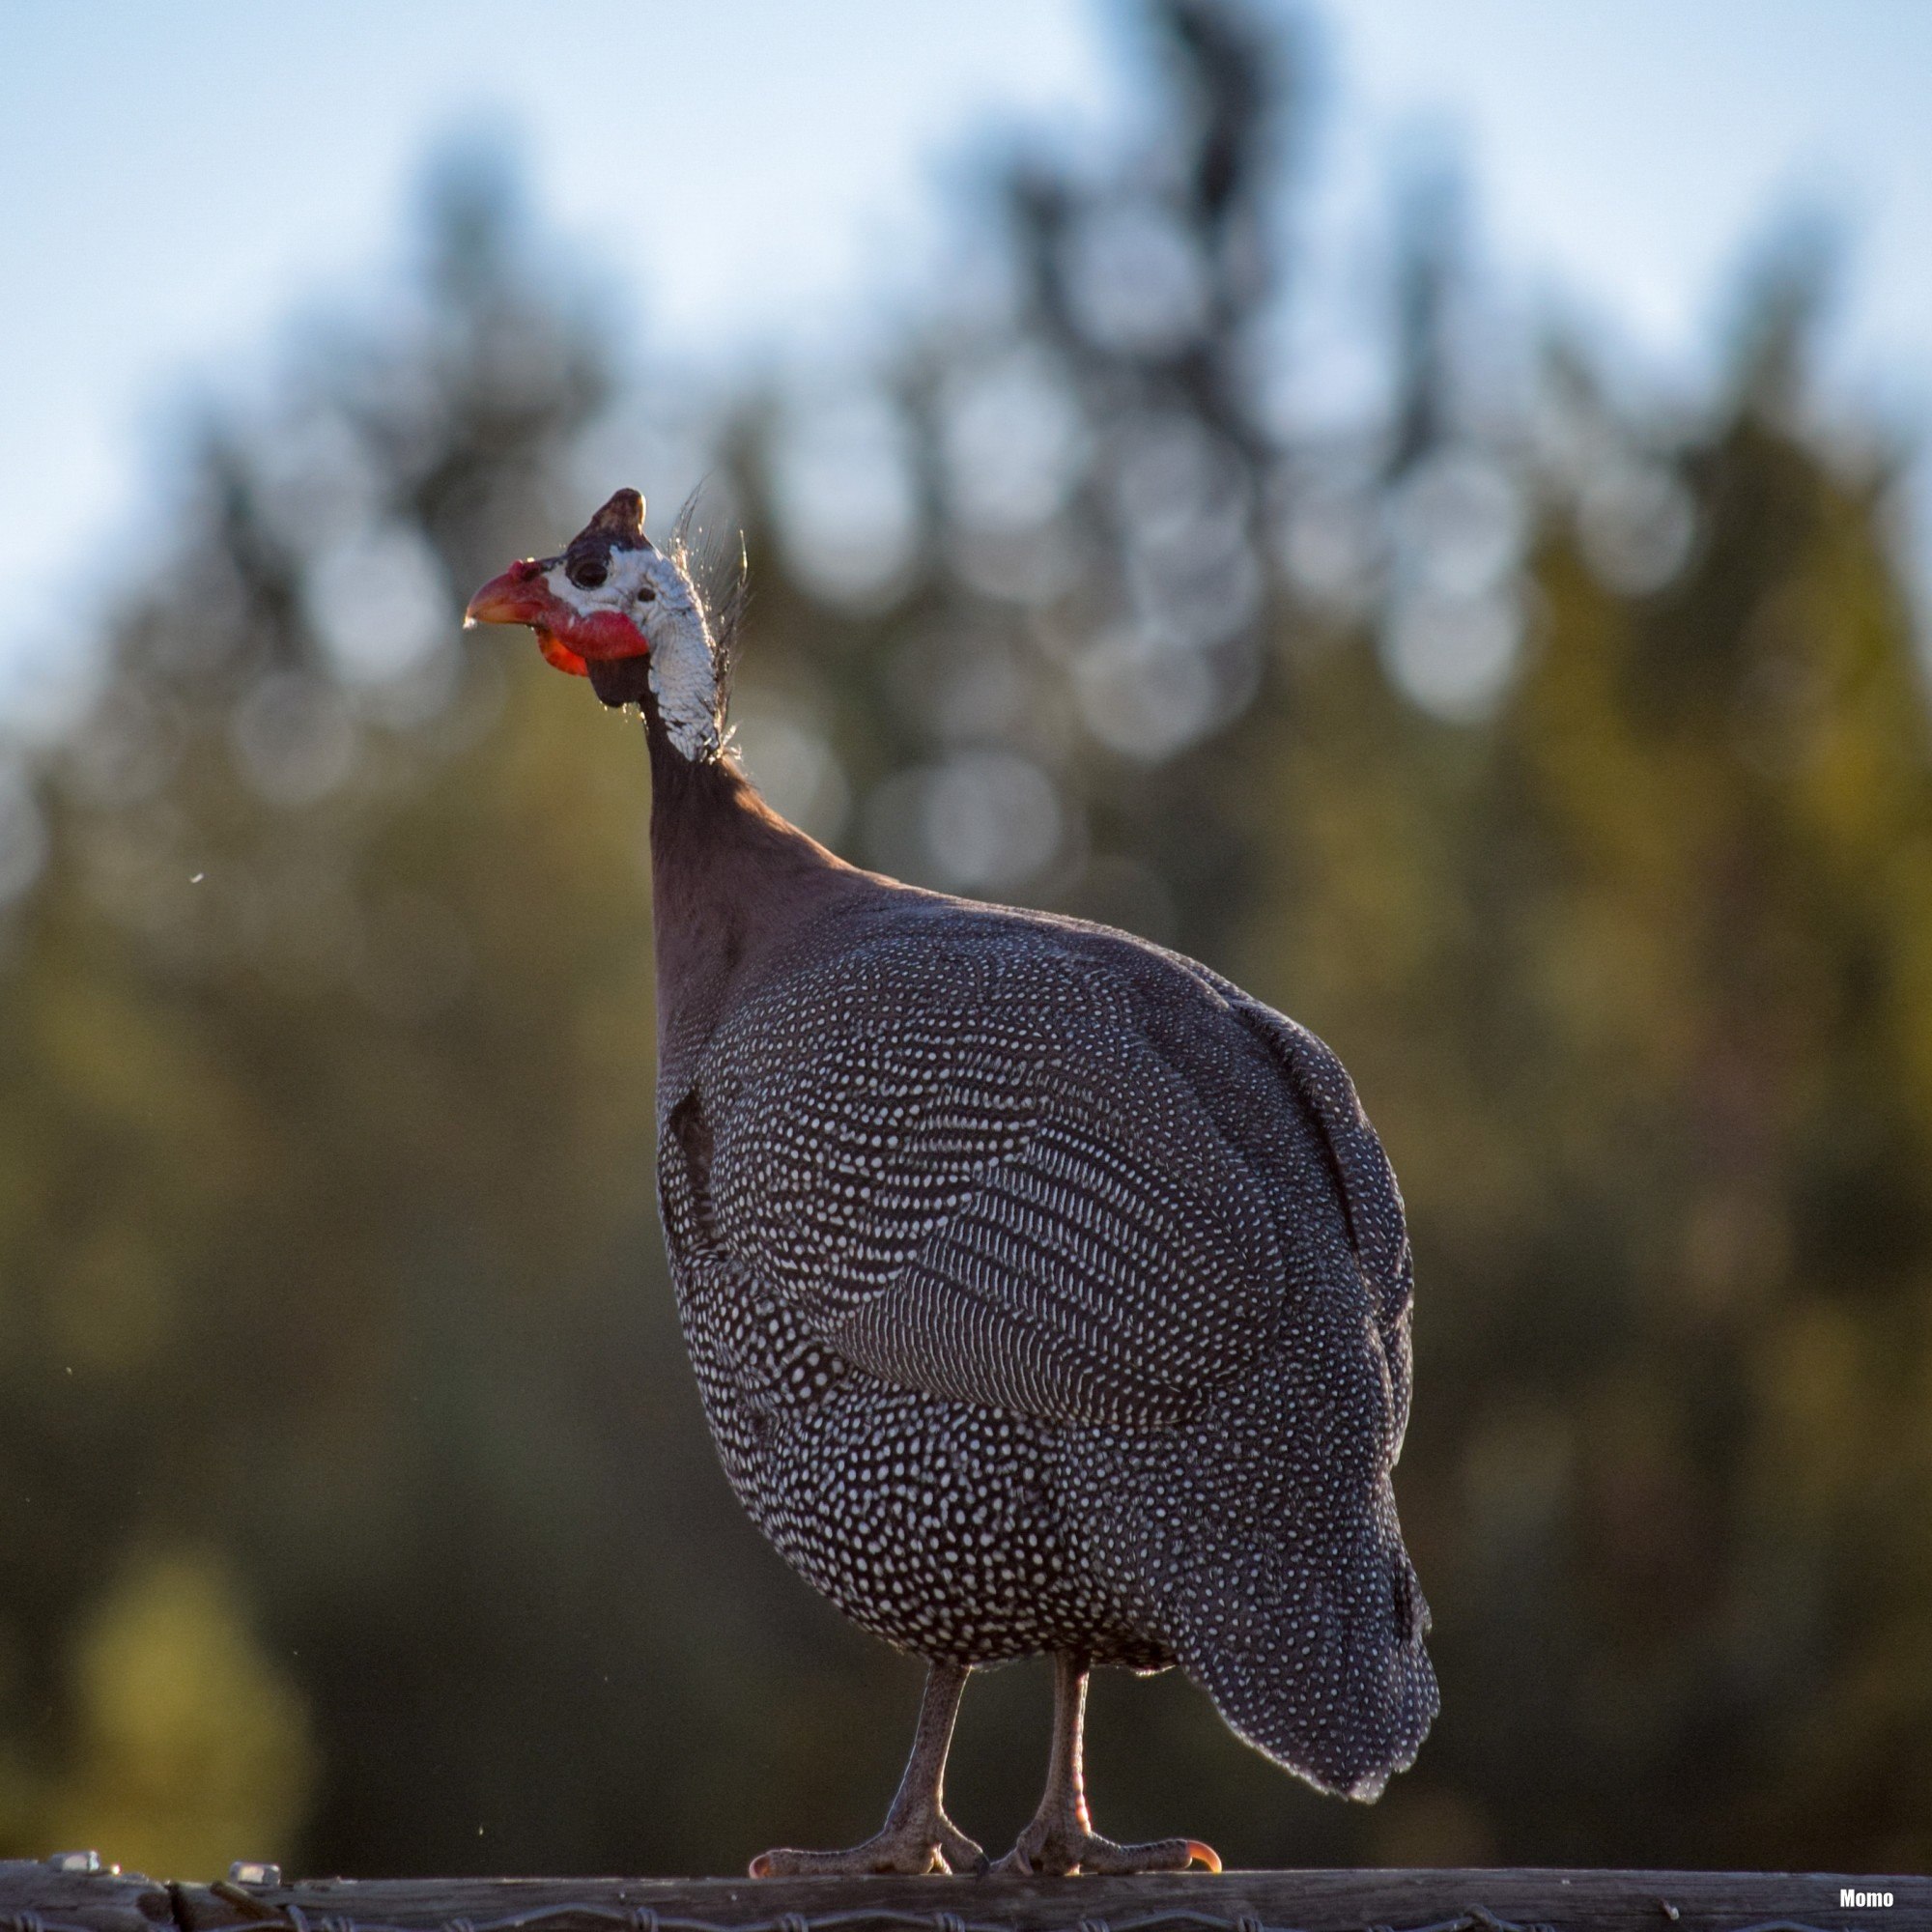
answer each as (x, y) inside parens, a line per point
(1046, 1292)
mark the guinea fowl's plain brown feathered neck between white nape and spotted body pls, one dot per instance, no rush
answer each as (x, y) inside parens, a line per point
(731, 886)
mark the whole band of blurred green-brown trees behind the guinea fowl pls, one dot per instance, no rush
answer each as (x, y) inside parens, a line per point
(1568, 770)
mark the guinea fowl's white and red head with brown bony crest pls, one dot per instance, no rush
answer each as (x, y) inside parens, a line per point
(615, 610)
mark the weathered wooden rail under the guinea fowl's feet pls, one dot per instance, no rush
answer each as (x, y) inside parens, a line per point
(71, 1896)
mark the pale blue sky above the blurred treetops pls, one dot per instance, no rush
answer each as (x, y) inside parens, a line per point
(754, 177)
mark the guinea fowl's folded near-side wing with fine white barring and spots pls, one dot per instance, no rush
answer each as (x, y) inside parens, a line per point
(975, 1176)
